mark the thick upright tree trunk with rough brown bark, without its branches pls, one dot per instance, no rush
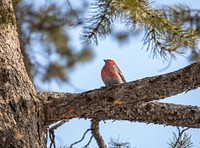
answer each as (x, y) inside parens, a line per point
(20, 119)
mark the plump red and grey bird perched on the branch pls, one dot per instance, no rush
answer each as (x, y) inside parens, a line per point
(111, 74)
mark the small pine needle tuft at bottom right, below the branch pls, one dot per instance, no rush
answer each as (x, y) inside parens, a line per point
(181, 140)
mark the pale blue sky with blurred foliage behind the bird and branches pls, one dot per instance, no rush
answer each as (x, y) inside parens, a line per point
(58, 59)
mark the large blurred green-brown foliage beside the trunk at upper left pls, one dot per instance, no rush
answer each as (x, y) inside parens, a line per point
(44, 33)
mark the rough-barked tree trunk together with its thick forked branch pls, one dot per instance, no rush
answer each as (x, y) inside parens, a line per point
(25, 113)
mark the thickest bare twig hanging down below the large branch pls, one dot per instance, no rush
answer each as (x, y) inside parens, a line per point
(96, 134)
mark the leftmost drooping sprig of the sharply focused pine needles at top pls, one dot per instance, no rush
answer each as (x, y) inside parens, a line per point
(101, 22)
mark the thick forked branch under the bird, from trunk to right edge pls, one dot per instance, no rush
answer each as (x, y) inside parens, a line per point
(127, 101)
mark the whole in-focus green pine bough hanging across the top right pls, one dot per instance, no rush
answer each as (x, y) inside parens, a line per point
(162, 35)
